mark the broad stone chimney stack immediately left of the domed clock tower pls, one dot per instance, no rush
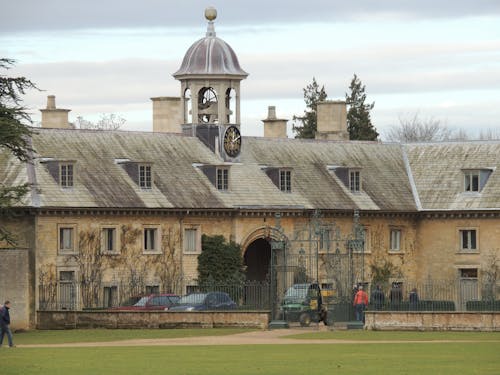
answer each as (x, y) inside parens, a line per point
(167, 114)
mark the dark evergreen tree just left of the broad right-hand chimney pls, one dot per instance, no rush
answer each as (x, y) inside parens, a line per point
(313, 94)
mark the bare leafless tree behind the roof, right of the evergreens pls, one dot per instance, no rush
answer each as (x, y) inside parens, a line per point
(415, 129)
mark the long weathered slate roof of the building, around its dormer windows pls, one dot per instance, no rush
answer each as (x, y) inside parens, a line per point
(395, 178)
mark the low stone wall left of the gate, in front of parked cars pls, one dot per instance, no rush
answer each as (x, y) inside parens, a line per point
(151, 319)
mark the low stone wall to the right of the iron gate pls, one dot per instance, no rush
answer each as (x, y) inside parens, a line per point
(432, 321)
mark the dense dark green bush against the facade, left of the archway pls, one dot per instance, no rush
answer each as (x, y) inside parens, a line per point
(219, 262)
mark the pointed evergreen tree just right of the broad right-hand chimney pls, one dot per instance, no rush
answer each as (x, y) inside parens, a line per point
(359, 124)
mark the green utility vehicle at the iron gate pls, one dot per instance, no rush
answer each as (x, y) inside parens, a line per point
(303, 303)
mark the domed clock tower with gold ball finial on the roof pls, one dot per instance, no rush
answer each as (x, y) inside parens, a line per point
(210, 77)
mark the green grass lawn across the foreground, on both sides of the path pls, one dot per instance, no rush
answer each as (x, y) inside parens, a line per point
(480, 357)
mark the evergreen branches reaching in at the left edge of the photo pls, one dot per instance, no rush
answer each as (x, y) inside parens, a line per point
(14, 136)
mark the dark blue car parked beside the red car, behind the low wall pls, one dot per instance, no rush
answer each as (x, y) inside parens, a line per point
(205, 301)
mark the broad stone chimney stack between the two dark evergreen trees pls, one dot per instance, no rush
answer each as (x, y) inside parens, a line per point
(332, 120)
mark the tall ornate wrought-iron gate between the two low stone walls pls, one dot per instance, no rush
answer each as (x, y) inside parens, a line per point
(316, 256)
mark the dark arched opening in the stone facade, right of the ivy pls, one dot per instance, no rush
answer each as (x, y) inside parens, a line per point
(257, 258)
